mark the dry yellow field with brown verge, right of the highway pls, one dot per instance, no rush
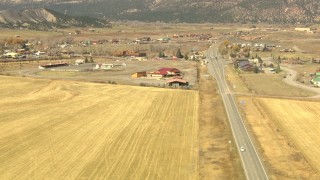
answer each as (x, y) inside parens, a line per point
(287, 134)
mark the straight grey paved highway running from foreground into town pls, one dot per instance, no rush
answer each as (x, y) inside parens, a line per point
(251, 162)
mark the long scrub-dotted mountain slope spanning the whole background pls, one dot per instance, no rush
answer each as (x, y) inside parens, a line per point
(271, 11)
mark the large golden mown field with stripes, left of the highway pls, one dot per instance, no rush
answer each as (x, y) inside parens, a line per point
(52, 129)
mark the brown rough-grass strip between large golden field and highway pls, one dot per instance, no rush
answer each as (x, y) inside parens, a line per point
(218, 159)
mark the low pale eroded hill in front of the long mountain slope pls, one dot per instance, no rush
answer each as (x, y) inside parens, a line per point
(45, 18)
